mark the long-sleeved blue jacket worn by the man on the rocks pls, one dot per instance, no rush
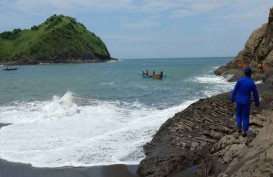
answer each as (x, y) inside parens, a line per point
(242, 91)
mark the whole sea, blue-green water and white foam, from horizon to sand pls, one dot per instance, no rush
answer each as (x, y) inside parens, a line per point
(93, 114)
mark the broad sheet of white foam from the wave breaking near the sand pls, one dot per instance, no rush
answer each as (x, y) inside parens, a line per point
(70, 130)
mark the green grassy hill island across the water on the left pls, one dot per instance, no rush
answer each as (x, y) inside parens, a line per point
(60, 39)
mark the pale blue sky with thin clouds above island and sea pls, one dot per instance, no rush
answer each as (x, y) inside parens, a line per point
(151, 28)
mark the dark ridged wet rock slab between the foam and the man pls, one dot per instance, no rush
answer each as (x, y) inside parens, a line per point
(187, 138)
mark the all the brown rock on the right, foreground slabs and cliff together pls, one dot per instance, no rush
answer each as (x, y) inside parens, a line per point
(203, 136)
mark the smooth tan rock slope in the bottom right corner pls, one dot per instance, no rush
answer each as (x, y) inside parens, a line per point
(256, 159)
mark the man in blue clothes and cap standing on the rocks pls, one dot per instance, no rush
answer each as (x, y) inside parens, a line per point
(242, 94)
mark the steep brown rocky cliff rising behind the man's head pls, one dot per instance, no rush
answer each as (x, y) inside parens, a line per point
(258, 48)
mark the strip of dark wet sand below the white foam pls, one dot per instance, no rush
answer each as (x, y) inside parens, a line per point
(12, 169)
